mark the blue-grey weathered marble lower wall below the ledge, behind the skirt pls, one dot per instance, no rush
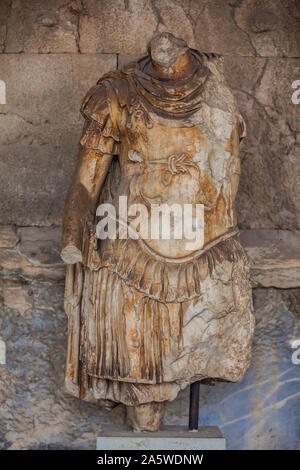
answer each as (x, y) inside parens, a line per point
(260, 412)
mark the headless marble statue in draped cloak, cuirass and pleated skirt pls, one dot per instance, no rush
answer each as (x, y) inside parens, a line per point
(147, 317)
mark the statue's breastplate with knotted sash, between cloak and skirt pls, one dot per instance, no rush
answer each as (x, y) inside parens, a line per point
(181, 165)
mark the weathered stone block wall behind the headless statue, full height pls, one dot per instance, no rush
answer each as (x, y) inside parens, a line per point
(51, 53)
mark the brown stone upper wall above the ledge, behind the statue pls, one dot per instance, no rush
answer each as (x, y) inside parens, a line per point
(40, 123)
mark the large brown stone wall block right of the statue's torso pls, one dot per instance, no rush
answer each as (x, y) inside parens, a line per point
(268, 195)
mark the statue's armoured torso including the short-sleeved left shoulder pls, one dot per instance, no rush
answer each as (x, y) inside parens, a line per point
(193, 159)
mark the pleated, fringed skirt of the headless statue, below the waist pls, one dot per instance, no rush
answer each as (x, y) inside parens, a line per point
(141, 330)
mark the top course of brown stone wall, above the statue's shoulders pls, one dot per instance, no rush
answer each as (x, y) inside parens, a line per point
(265, 28)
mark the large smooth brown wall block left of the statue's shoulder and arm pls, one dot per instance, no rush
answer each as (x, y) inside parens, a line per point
(40, 127)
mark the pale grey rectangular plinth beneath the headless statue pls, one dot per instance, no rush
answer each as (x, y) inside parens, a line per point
(114, 437)
